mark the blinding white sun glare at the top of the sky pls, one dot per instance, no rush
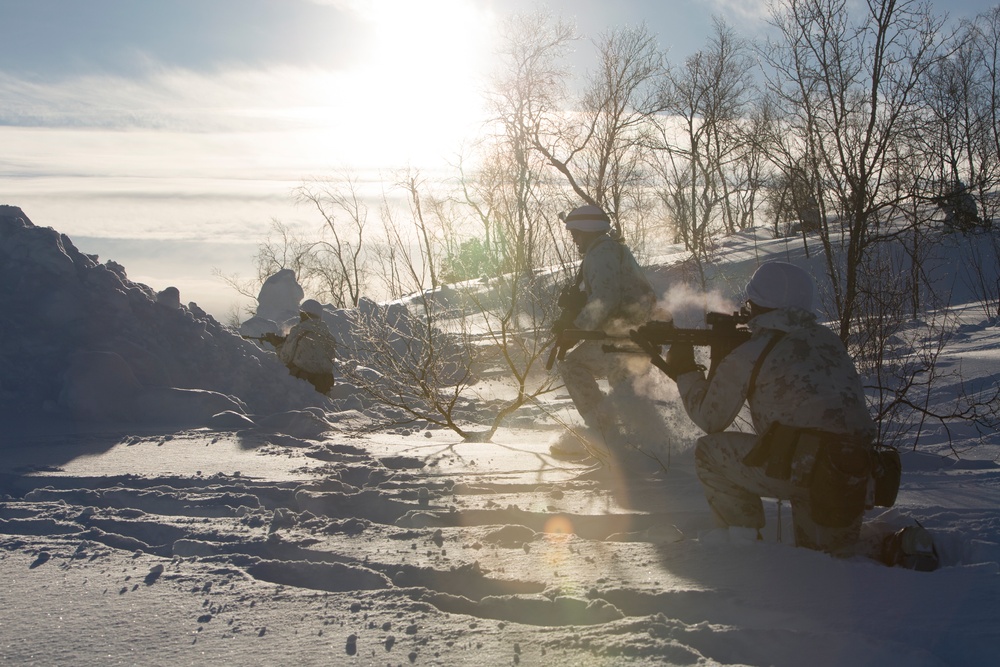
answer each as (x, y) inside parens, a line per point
(419, 91)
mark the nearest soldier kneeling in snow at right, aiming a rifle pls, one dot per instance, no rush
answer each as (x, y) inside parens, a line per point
(815, 437)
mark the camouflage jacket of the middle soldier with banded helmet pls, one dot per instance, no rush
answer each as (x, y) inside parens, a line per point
(618, 294)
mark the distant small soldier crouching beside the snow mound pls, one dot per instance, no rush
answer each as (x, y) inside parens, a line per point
(309, 348)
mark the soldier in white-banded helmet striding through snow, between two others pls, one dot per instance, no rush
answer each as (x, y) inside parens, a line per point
(613, 296)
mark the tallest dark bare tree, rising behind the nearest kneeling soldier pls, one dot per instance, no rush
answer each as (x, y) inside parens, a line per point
(847, 91)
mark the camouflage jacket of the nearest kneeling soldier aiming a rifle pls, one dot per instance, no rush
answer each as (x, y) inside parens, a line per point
(808, 380)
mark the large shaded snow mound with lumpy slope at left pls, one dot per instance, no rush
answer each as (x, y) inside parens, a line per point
(83, 343)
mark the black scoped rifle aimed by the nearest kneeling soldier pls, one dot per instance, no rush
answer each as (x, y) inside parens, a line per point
(725, 333)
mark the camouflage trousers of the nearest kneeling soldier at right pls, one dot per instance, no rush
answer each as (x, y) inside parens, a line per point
(734, 491)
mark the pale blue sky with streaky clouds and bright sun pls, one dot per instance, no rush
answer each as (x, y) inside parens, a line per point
(168, 135)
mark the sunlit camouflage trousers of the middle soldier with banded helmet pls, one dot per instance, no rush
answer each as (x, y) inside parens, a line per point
(621, 414)
